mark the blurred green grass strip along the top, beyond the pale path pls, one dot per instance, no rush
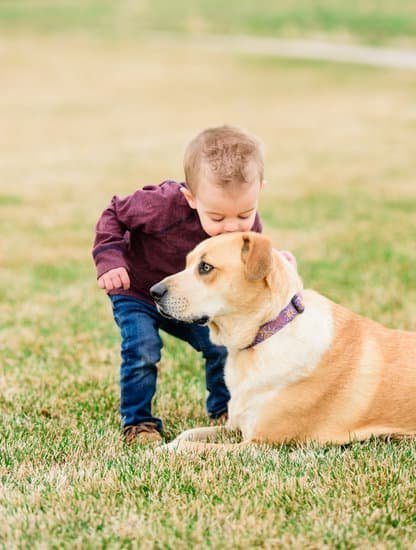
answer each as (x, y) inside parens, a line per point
(371, 21)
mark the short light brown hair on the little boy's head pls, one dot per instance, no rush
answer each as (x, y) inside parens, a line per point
(229, 153)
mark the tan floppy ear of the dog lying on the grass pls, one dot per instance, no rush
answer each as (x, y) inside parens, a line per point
(256, 255)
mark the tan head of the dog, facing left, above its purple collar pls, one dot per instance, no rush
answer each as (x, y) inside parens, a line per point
(231, 275)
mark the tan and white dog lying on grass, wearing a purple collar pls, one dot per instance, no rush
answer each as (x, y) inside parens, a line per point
(328, 375)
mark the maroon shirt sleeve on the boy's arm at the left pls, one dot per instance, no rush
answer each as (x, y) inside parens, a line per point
(138, 211)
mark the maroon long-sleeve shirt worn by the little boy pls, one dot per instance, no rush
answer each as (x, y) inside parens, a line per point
(149, 233)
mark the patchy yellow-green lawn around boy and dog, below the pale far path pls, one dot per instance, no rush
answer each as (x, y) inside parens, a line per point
(83, 118)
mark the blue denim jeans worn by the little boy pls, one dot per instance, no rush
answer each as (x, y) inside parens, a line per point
(139, 324)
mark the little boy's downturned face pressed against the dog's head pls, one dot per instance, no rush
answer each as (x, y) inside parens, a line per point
(224, 209)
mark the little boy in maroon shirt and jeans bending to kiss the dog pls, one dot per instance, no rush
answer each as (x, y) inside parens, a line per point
(142, 238)
